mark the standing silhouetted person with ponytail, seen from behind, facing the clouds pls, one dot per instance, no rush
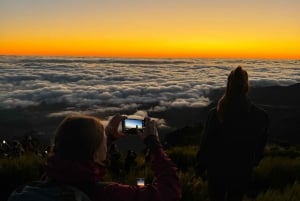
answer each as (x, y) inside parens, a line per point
(233, 141)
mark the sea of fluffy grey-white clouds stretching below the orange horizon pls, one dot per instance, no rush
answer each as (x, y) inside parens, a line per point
(105, 84)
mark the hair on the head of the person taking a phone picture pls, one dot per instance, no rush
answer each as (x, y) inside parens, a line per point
(78, 137)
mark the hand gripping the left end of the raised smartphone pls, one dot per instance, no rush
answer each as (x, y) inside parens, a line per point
(112, 128)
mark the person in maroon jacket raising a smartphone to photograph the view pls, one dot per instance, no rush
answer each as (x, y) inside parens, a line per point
(78, 158)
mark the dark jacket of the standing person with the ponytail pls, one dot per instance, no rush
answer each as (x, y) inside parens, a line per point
(234, 146)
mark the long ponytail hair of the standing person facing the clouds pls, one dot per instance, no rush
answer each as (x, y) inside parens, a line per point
(237, 86)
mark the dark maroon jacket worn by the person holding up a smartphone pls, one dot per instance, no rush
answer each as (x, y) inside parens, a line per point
(85, 175)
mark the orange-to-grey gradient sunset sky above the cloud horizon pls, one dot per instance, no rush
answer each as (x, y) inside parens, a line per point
(151, 28)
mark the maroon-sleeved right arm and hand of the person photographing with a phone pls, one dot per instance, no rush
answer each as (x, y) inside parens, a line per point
(165, 187)
